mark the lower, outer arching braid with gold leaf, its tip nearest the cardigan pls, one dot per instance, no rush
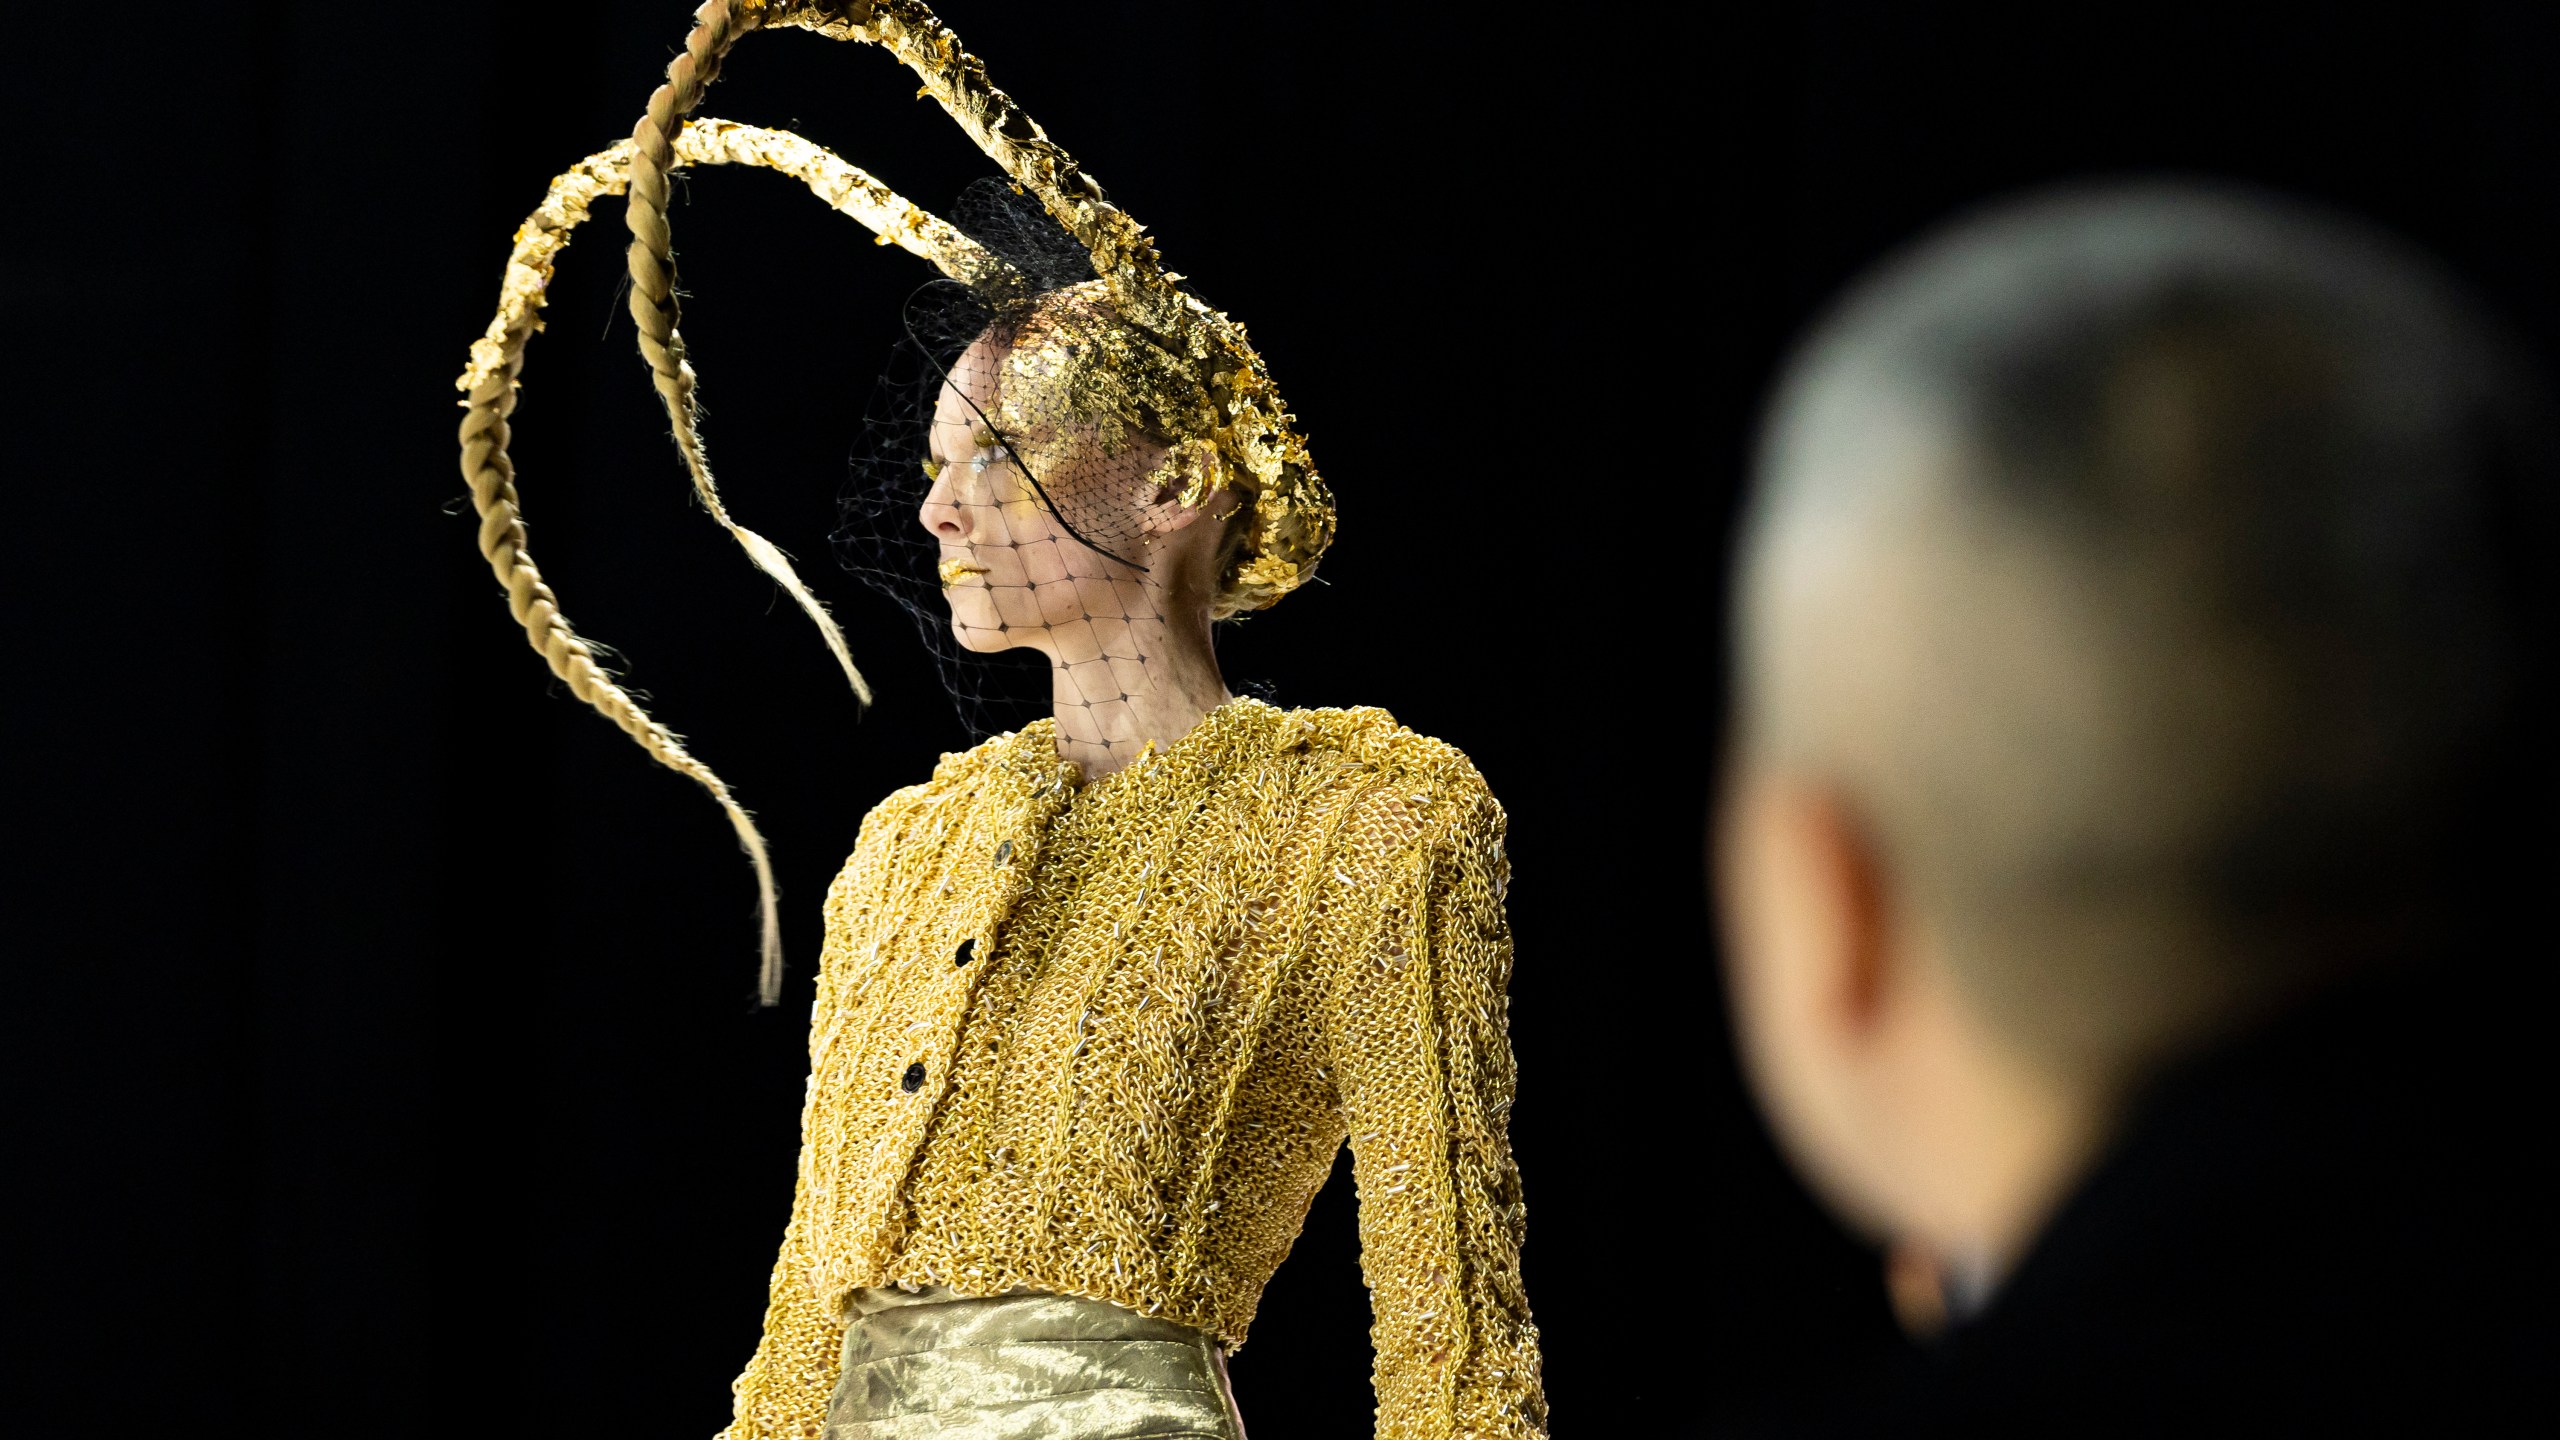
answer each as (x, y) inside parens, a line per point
(490, 393)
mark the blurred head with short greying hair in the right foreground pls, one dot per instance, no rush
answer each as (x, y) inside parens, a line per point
(2131, 644)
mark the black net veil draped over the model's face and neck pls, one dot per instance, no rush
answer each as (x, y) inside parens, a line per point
(1018, 491)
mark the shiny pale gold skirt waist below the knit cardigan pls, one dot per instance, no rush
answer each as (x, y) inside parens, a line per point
(1023, 1367)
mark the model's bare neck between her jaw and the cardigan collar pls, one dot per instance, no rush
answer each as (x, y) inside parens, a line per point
(1151, 683)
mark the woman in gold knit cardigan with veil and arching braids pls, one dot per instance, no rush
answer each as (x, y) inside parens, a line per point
(1107, 993)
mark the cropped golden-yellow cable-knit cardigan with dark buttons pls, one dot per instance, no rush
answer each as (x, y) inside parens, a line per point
(1107, 1042)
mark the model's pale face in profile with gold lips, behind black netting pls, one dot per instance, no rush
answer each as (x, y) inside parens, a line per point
(1012, 570)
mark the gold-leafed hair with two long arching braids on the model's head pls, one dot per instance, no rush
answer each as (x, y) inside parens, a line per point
(1215, 393)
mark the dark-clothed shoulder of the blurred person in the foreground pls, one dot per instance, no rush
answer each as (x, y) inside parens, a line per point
(2333, 1226)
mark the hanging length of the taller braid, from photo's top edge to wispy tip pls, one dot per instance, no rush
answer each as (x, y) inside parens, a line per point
(657, 311)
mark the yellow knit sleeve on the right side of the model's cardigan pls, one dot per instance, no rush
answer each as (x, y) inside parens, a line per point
(1422, 1062)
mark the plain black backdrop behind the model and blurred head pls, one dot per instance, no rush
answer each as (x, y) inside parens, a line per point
(378, 1029)
